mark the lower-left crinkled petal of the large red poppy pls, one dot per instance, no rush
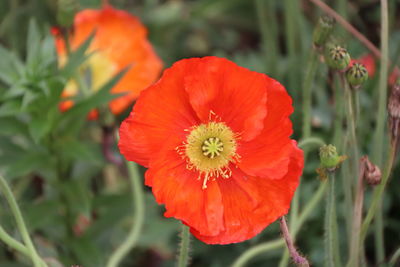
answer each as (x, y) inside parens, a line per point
(181, 192)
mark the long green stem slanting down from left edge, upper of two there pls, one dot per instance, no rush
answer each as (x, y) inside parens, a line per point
(20, 222)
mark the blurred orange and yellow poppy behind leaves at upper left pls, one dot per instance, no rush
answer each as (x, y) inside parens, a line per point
(120, 41)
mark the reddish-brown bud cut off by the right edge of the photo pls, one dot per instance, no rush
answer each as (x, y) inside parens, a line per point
(394, 111)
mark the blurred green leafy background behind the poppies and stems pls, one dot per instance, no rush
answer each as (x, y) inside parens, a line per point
(273, 37)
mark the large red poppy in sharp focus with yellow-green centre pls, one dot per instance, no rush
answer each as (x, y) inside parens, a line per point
(216, 140)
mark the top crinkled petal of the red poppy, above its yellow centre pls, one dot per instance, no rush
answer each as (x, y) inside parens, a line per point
(236, 95)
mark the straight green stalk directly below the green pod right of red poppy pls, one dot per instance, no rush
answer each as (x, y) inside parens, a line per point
(331, 244)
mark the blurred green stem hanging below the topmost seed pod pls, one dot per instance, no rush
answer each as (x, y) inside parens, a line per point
(307, 93)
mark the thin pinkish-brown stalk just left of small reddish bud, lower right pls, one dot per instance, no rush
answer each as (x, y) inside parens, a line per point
(355, 244)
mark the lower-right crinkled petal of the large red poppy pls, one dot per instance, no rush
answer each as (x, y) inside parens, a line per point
(252, 203)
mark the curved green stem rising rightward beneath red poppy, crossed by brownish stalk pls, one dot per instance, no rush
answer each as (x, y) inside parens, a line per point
(270, 245)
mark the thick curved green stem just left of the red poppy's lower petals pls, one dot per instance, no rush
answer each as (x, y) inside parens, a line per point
(138, 203)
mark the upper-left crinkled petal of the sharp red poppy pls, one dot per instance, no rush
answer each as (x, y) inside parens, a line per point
(161, 111)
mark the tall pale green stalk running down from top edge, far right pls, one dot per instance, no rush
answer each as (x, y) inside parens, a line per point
(378, 145)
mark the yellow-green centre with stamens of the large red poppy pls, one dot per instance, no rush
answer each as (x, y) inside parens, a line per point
(209, 149)
